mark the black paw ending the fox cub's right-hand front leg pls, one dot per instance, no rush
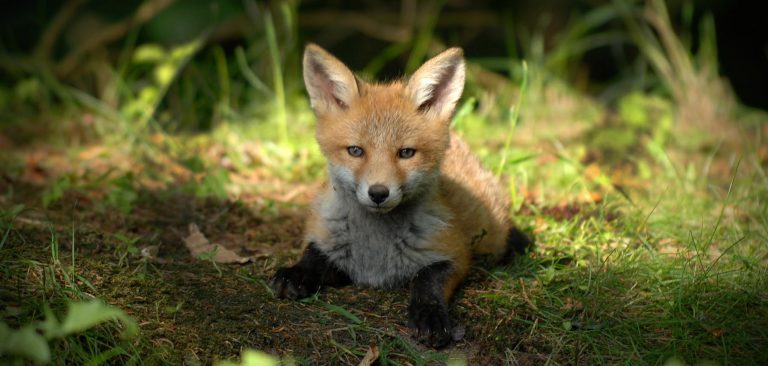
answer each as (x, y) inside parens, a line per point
(431, 324)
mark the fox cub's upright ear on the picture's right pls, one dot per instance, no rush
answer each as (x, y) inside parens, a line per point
(437, 85)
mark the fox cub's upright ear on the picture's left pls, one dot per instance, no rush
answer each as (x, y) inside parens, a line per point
(331, 85)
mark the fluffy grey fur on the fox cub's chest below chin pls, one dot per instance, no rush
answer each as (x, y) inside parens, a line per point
(379, 249)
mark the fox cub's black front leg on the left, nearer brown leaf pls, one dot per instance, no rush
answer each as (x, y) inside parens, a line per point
(307, 277)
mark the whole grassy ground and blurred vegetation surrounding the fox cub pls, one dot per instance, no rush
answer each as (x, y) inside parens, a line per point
(631, 135)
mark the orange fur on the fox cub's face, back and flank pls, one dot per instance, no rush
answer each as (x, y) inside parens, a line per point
(382, 118)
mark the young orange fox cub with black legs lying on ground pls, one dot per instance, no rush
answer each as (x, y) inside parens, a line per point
(407, 203)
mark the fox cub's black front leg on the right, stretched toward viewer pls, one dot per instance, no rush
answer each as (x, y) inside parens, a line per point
(428, 310)
